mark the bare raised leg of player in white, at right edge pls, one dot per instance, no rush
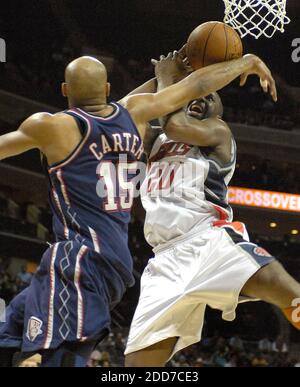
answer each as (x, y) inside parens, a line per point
(273, 284)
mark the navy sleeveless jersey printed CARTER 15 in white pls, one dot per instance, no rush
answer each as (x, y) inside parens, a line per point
(91, 193)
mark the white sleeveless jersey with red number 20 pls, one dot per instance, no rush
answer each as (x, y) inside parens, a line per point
(183, 190)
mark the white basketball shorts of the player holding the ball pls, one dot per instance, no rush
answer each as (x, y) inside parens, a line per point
(206, 268)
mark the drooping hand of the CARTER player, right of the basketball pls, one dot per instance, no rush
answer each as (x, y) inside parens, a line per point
(267, 81)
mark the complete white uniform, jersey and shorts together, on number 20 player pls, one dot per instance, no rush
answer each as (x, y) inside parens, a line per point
(201, 257)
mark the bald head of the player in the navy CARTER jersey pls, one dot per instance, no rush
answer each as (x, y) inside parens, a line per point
(85, 82)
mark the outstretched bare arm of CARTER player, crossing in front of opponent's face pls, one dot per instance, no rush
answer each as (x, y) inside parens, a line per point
(146, 107)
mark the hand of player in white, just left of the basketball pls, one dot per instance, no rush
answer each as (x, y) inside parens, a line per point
(170, 67)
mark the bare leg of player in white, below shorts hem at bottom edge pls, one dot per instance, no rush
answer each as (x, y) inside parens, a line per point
(156, 355)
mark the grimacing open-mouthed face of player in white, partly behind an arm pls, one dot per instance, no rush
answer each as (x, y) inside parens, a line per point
(206, 107)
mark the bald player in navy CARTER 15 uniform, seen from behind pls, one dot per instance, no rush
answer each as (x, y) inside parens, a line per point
(91, 152)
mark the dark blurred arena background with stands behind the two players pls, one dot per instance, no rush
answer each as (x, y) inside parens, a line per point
(41, 38)
